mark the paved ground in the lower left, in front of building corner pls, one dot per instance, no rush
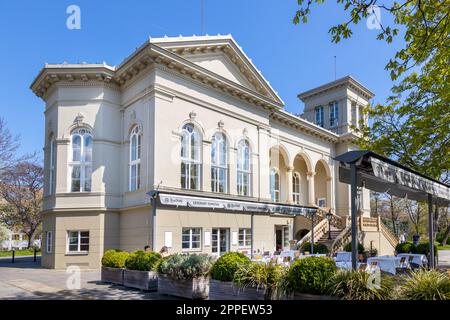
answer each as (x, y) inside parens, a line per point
(25, 279)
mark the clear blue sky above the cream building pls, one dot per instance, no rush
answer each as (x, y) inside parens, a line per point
(293, 58)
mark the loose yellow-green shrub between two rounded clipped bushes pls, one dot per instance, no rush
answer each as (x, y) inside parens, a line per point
(261, 276)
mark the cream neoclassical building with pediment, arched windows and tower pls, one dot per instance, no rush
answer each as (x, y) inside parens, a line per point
(185, 144)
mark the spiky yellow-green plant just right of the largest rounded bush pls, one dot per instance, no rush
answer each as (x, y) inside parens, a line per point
(353, 285)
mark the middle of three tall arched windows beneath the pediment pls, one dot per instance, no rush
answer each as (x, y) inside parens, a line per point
(219, 164)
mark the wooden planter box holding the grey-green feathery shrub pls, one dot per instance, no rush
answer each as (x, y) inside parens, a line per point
(197, 288)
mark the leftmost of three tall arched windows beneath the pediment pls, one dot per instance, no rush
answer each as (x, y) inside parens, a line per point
(190, 157)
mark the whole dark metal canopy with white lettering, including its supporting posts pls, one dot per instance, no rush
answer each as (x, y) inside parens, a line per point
(367, 169)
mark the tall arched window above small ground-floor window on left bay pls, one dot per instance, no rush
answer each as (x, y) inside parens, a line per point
(80, 163)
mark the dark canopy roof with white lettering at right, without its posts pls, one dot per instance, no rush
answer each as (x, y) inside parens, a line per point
(382, 174)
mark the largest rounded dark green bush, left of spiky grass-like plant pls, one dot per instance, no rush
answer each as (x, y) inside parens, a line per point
(309, 275)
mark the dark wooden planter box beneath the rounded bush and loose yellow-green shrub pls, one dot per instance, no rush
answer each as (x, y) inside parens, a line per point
(225, 290)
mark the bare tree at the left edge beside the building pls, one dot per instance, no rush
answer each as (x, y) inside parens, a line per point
(21, 188)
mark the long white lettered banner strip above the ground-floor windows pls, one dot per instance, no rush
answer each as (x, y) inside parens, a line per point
(229, 205)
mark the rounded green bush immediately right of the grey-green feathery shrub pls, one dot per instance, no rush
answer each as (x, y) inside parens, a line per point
(226, 266)
